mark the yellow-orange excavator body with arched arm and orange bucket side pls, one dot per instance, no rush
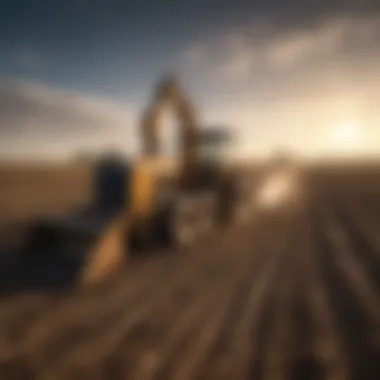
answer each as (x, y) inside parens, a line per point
(147, 179)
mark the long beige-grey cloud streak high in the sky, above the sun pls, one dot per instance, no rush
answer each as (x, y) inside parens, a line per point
(261, 47)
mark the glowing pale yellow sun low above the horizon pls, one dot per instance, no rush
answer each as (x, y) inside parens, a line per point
(347, 137)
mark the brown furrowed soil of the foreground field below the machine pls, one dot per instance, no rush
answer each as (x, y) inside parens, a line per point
(292, 295)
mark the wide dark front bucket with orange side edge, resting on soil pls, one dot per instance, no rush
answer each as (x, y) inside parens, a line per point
(95, 245)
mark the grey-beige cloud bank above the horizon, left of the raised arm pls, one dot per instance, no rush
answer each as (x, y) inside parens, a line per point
(35, 118)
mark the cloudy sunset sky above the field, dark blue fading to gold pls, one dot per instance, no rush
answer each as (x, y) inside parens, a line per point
(75, 75)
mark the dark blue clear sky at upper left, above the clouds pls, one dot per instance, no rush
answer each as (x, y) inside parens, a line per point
(114, 48)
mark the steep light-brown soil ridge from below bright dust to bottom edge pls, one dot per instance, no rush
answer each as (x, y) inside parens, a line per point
(230, 359)
